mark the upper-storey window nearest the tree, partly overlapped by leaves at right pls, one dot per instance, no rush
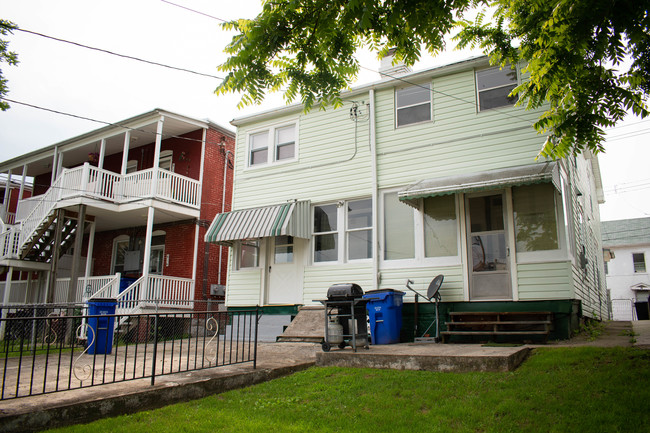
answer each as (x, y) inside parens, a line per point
(494, 85)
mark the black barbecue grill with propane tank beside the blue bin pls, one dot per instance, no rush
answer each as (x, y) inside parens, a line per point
(345, 317)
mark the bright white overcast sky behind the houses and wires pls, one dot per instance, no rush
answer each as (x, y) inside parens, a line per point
(79, 81)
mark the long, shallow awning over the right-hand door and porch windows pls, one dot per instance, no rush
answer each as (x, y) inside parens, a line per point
(481, 181)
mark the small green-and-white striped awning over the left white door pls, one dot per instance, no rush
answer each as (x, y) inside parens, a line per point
(291, 219)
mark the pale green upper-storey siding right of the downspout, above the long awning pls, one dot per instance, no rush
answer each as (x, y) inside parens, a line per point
(460, 141)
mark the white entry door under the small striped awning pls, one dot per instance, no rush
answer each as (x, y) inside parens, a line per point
(285, 270)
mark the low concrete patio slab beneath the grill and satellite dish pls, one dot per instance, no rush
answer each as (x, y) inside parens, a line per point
(428, 357)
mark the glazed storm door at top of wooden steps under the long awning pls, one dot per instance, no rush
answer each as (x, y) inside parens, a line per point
(488, 248)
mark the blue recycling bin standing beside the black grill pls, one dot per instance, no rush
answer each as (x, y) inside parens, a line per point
(385, 315)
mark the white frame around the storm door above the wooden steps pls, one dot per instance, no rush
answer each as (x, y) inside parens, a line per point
(508, 224)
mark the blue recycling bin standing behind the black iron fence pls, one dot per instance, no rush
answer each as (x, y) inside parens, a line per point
(100, 338)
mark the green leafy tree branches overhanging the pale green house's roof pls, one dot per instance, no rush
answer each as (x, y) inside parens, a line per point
(588, 60)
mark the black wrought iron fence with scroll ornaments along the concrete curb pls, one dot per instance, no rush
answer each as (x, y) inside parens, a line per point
(51, 348)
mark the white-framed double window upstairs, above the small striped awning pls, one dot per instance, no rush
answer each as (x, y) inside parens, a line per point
(272, 145)
